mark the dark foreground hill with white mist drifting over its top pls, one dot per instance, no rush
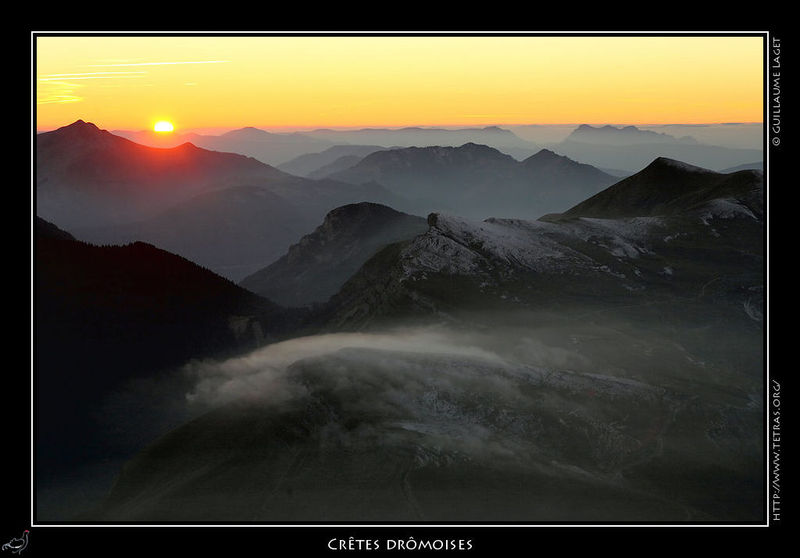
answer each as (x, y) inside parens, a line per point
(631, 415)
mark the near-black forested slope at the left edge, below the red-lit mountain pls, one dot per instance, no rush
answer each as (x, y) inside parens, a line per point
(109, 316)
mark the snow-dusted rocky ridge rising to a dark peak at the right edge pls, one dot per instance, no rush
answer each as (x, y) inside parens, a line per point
(664, 231)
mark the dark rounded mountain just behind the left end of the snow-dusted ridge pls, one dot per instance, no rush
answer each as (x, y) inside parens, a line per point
(316, 267)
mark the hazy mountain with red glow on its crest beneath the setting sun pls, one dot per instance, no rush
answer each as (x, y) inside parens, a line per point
(228, 212)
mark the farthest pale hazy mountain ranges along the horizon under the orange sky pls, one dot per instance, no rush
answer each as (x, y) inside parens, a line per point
(594, 145)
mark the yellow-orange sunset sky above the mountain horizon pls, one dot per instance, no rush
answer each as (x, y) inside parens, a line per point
(283, 82)
